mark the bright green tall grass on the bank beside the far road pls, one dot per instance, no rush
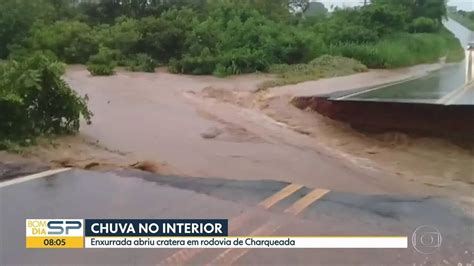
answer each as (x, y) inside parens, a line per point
(403, 49)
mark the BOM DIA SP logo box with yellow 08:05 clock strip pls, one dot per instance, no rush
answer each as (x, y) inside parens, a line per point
(54, 233)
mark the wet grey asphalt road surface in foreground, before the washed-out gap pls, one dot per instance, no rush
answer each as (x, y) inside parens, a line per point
(247, 204)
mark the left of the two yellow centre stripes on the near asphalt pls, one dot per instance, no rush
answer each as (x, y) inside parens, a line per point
(184, 255)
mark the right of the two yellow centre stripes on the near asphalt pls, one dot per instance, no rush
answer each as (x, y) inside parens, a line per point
(230, 256)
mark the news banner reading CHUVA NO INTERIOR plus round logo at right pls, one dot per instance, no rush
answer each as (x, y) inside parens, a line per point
(192, 233)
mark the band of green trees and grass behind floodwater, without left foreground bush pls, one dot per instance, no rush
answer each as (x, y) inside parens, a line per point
(223, 37)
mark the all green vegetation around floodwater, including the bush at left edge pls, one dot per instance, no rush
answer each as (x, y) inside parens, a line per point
(295, 39)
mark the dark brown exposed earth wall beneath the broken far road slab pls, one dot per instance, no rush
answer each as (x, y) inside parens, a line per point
(453, 122)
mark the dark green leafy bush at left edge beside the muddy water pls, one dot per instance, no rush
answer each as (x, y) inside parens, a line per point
(35, 100)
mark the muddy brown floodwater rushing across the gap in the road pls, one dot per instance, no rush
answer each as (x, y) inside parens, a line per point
(213, 127)
